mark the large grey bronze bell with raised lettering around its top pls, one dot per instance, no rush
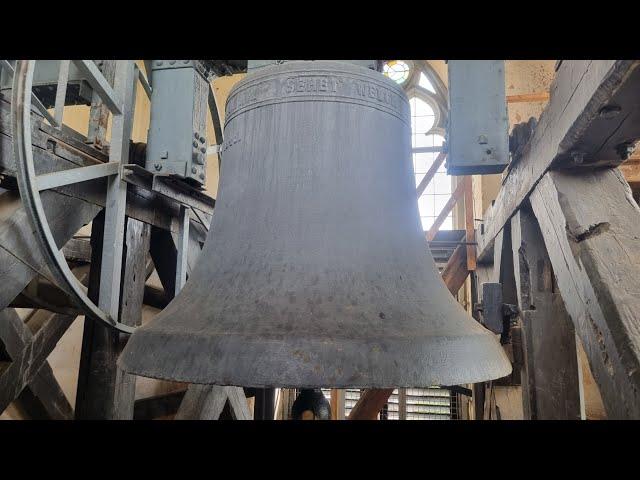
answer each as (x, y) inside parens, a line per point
(316, 271)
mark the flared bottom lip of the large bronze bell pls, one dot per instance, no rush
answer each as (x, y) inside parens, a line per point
(452, 360)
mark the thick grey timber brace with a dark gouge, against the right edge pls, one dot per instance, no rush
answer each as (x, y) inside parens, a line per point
(591, 228)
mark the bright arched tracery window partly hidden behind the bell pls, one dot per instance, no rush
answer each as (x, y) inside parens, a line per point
(428, 100)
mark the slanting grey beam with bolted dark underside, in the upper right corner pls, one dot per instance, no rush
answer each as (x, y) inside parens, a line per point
(571, 122)
